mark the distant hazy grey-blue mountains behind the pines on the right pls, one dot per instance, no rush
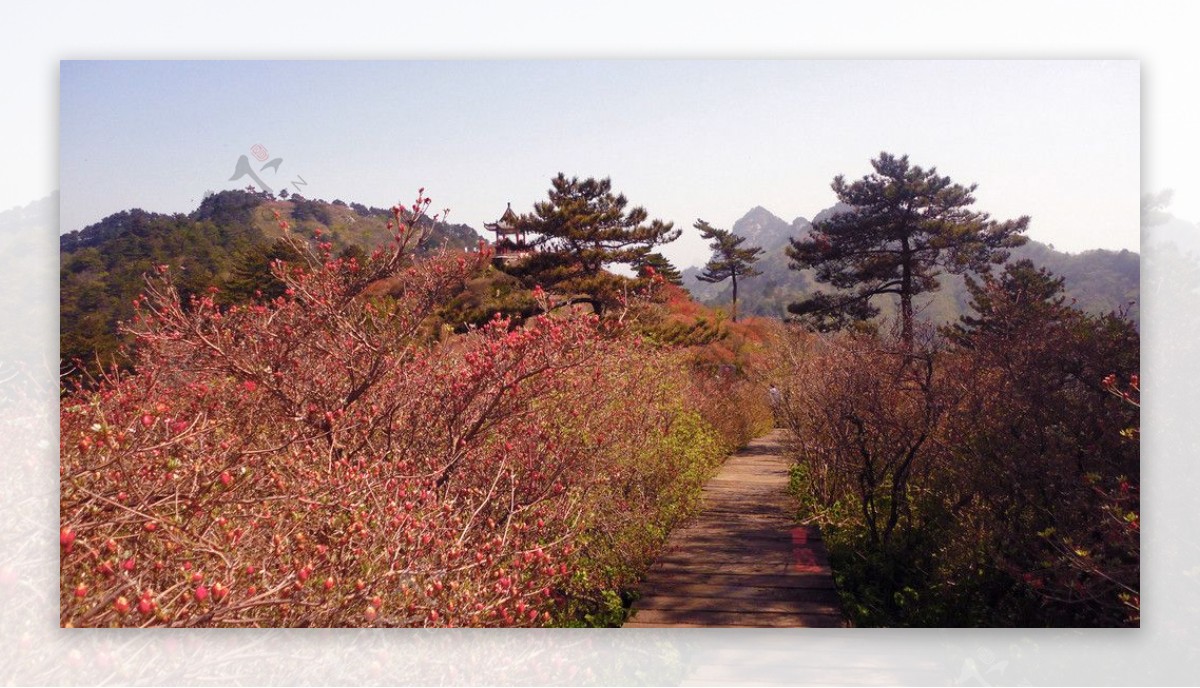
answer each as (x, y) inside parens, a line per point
(1100, 282)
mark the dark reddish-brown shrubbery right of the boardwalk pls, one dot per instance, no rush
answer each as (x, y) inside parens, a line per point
(989, 480)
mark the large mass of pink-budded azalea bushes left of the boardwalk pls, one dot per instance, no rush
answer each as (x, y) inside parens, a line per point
(321, 458)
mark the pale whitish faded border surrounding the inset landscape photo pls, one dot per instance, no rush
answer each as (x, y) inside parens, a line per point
(34, 650)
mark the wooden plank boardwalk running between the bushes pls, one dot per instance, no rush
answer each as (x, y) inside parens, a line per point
(742, 561)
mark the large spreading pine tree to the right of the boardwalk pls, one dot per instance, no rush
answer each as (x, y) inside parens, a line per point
(905, 226)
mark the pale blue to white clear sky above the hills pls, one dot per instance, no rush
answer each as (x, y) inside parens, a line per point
(687, 140)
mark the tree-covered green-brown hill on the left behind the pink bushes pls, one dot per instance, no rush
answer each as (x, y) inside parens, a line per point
(229, 242)
